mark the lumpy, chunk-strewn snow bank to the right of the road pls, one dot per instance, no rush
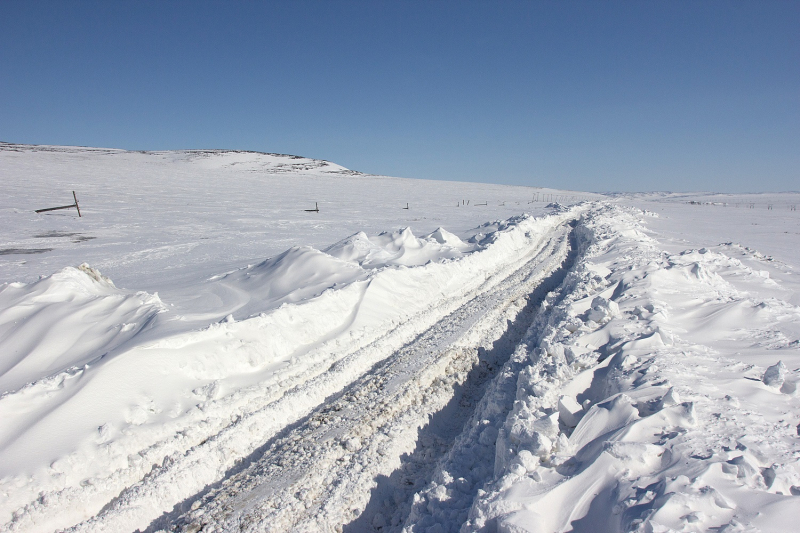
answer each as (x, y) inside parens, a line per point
(639, 403)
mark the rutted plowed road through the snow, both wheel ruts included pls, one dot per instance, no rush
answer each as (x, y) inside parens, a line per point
(345, 436)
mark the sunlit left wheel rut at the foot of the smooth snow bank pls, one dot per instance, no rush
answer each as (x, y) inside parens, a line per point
(181, 478)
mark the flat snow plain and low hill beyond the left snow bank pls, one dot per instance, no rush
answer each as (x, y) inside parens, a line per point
(165, 221)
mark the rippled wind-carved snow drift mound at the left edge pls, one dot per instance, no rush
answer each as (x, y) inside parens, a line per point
(65, 321)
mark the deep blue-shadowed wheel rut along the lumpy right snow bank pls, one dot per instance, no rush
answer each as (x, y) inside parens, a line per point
(468, 460)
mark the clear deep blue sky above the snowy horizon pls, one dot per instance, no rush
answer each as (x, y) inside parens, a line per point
(599, 95)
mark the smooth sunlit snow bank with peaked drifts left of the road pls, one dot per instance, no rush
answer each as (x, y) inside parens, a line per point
(171, 412)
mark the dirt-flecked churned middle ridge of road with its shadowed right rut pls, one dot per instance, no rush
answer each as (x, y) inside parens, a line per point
(318, 474)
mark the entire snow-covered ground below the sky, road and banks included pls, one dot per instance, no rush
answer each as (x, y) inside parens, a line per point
(199, 353)
